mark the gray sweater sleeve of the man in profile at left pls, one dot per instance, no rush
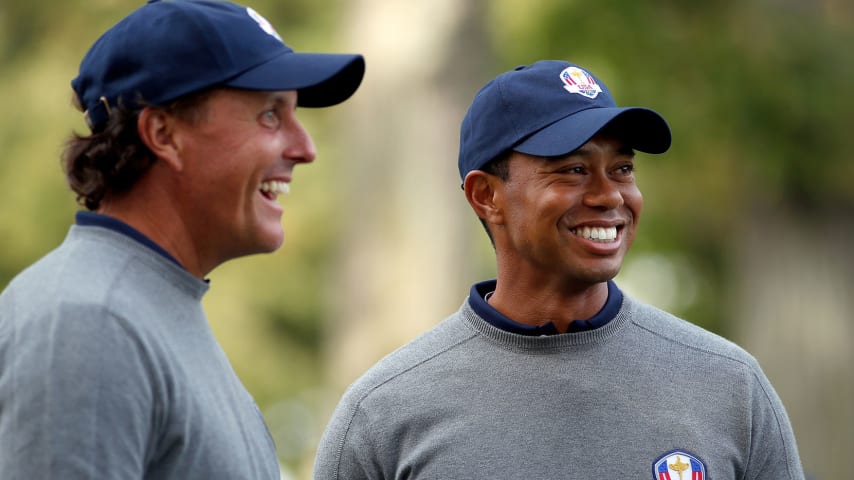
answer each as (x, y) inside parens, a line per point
(75, 400)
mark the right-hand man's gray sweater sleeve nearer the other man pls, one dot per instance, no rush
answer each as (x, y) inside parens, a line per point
(346, 451)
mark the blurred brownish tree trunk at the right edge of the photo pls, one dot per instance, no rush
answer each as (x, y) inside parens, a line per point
(793, 311)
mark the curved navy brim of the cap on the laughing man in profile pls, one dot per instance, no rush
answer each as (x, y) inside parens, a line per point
(321, 79)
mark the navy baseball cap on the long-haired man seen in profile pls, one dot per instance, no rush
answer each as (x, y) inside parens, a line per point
(170, 48)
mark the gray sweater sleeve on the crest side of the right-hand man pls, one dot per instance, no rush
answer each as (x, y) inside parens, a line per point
(773, 450)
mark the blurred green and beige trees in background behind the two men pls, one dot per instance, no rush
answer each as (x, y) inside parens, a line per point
(748, 223)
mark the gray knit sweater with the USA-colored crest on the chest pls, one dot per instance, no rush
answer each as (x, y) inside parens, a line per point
(647, 396)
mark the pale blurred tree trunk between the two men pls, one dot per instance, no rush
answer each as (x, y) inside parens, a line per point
(407, 247)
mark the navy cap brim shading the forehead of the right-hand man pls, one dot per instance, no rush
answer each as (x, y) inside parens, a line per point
(644, 130)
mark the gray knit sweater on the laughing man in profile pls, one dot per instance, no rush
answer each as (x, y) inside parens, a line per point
(109, 370)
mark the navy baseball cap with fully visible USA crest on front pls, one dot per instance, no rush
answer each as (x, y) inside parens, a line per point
(549, 109)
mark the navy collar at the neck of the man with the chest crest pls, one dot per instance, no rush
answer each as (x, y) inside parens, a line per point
(497, 319)
